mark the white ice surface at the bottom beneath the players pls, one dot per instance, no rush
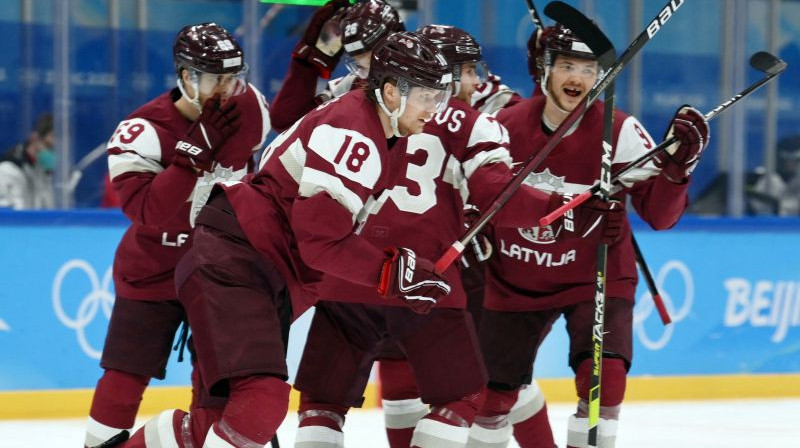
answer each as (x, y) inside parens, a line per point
(706, 424)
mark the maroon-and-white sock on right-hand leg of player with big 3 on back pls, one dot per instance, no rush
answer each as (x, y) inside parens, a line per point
(448, 425)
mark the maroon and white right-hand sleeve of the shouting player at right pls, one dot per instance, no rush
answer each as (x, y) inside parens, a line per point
(655, 198)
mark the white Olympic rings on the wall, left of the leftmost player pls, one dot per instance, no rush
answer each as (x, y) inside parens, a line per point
(99, 298)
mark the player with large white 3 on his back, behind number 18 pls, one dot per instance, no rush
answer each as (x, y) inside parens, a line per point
(461, 153)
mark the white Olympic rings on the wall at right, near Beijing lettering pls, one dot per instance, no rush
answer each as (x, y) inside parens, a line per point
(645, 306)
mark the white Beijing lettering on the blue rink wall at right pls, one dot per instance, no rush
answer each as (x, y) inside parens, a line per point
(762, 304)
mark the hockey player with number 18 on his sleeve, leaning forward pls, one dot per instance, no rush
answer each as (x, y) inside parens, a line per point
(261, 247)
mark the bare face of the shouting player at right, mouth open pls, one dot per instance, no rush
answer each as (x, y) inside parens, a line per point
(570, 81)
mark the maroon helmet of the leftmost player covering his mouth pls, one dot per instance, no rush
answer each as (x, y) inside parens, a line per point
(209, 48)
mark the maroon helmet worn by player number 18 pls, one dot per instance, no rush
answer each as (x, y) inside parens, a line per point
(412, 57)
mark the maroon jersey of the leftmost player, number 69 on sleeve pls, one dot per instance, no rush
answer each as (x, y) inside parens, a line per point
(157, 196)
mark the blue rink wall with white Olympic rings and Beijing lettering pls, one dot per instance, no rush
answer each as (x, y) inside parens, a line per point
(731, 286)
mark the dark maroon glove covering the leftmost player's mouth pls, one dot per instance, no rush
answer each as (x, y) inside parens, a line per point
(207, 134)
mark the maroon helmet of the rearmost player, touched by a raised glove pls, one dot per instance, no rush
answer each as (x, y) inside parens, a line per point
(366, 23)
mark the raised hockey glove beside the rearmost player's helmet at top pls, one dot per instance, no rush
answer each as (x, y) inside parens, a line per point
(318, 48)
